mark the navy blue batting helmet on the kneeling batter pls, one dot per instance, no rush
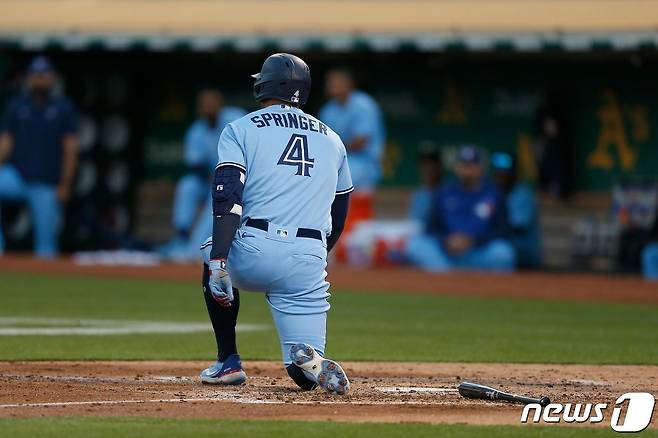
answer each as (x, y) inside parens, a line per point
(284, 77)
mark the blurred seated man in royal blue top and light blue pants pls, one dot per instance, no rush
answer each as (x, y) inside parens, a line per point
(468, 223)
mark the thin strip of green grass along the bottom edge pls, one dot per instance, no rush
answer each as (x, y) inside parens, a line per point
(90, 427)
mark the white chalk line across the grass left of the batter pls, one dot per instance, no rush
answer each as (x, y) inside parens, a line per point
(31, 326)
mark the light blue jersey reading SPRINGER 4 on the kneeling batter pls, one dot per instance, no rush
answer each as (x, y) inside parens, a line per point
(294, 166)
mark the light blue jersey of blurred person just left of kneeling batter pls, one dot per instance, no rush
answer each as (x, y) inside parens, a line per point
(201, 138)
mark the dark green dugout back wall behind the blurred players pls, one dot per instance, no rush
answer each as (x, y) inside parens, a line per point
(452, 98)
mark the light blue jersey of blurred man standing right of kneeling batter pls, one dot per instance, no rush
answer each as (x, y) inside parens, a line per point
(360, 116)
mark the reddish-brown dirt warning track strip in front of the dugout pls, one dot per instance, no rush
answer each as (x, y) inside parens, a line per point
(562, 286)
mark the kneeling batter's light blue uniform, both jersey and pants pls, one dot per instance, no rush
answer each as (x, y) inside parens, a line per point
(294, 165)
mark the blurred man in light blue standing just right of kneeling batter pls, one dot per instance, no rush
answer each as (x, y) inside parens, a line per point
(356, 117)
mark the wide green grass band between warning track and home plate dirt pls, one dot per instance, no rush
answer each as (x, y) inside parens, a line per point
(395, 327)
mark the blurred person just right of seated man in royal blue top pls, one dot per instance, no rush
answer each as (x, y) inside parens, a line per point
(522, 211)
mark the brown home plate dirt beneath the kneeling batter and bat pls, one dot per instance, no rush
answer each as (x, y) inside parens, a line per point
(381, 392)
